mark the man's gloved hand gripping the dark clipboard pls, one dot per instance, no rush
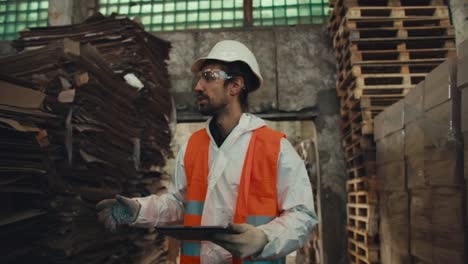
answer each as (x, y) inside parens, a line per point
(249, 240)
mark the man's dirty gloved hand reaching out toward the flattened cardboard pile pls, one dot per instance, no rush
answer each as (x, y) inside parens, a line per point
(118, 211)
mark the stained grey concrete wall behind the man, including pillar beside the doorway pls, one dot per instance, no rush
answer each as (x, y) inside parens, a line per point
(299, 70)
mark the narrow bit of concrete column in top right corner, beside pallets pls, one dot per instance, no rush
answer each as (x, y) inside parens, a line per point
(459, 11)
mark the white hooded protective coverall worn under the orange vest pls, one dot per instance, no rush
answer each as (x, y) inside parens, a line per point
(285, 233)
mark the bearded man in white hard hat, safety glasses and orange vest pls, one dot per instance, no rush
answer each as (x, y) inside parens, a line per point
(235, 171)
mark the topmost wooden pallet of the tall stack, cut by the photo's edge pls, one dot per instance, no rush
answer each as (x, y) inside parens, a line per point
(351, 3)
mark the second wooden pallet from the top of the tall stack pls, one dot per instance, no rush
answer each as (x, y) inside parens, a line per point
(421, 12)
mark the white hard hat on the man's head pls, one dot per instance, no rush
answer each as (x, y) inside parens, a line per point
(229, 51)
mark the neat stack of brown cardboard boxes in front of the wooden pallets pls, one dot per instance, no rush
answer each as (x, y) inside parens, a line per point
(420, 173)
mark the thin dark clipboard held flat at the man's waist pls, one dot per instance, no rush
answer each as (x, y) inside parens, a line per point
(197, 233)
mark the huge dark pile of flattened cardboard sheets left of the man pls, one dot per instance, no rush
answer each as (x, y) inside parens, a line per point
(75, 132)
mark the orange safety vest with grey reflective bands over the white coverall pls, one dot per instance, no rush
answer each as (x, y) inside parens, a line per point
(260, 173)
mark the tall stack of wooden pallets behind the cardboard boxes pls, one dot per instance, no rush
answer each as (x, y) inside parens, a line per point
(384, 48)
